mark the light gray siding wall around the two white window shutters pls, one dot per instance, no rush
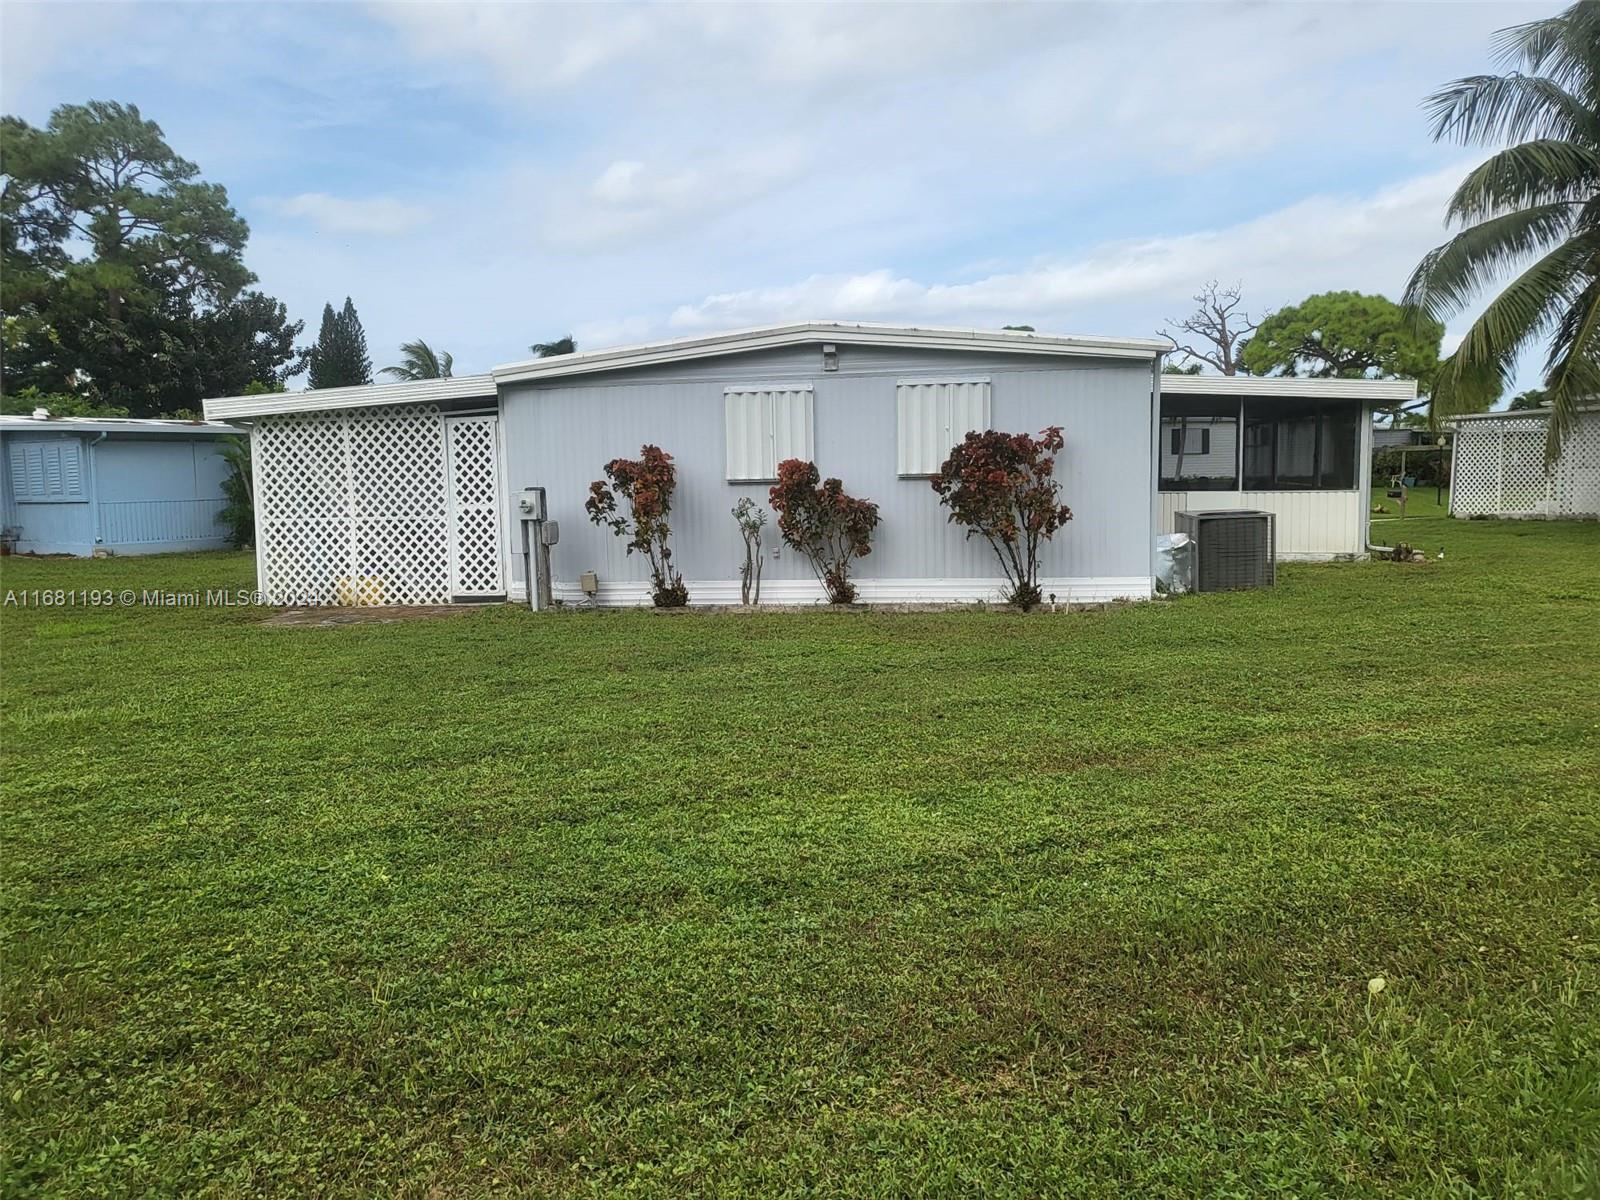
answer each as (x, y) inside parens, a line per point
(561, 434)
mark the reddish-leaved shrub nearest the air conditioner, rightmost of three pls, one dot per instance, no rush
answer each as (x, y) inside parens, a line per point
(1004, 489)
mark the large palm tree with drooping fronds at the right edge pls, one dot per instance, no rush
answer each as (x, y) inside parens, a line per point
(1535, 207)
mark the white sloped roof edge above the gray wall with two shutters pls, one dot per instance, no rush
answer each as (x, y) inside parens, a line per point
(847, 334)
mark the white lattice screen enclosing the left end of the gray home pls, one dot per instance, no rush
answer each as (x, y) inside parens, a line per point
(356, 508)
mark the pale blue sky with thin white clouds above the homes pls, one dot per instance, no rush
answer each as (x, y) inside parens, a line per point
(487, 177)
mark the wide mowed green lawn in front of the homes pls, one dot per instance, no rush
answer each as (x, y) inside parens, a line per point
(873, 905)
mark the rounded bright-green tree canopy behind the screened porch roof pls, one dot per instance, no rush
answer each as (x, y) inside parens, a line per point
(1346, 335)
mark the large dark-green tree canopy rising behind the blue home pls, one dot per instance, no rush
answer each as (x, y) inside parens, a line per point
(124, 273)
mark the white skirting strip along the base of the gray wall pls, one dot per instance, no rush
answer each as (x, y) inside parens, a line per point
(1086, 591)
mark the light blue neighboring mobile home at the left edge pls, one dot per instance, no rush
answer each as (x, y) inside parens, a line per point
(113, 486)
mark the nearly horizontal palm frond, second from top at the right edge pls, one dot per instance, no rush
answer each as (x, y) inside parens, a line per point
(1482, 110)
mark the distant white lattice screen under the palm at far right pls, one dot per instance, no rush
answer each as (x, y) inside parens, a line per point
(1500, 470)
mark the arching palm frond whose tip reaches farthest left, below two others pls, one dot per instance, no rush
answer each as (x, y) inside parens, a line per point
(1450, 276)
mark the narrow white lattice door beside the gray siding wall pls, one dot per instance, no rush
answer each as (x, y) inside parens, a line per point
(473, 506)
